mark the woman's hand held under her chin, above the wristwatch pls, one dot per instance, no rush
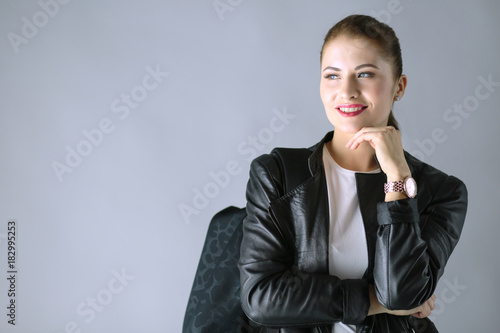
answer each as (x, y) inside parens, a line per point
(388, 148)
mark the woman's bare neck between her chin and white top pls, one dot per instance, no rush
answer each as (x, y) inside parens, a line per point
(361, 159)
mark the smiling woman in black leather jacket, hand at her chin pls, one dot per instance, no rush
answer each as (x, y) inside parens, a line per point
(361, 242)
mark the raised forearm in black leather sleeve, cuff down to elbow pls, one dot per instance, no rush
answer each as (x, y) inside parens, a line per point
(403, 278)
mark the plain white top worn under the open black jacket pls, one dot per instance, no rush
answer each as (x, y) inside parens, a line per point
(348, 252)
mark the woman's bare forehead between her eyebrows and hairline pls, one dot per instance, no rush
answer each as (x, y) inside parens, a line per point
(344, 51)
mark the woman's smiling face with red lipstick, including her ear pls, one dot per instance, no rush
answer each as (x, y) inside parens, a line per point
(357, 85)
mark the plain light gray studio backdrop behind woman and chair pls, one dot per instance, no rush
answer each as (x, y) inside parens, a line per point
(125, 125)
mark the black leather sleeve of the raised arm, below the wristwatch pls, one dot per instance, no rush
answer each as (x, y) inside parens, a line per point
(413, 247)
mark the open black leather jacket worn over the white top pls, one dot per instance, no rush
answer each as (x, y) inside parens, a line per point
(285, 284)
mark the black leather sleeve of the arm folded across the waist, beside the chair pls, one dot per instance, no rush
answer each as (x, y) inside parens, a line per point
(274, 292)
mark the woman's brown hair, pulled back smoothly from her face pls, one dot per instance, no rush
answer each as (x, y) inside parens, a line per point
(382, 35)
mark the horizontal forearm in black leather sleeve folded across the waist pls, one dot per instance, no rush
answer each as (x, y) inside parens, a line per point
(302, 299)
